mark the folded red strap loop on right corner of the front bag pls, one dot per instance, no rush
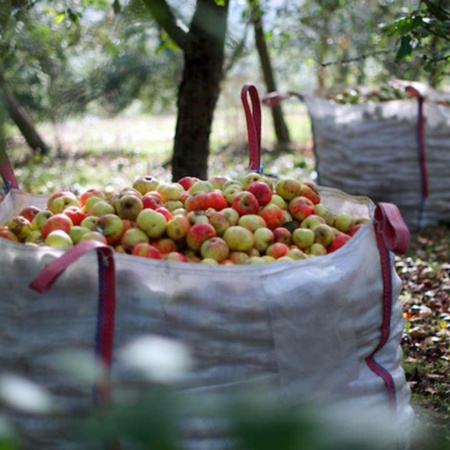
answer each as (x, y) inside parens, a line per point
(390, 225)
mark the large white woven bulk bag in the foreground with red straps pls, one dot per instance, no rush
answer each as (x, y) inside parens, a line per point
(324, 330)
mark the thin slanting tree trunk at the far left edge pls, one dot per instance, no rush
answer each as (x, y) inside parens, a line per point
(20, 117)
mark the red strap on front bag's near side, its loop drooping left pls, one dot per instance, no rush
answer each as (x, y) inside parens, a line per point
(106, 298)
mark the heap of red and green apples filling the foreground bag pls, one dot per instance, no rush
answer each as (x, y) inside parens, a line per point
(217, 221)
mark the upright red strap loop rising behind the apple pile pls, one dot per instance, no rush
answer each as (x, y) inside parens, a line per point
(253, 120)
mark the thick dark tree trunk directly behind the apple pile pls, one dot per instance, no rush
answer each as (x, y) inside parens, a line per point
(199, 89)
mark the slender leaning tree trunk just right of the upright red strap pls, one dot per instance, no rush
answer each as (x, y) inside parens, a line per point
(281, 130)
